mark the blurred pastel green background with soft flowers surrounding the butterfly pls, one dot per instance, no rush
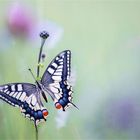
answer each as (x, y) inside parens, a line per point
(104, 37)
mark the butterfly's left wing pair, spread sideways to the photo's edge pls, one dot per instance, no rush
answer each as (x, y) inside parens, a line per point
(25, 96)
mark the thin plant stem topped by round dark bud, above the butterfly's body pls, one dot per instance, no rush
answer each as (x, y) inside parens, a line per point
(44, 35)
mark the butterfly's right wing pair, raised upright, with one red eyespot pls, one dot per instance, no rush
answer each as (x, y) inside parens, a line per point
(55, 80)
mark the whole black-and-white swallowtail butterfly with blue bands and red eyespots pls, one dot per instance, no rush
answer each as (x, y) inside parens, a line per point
(54, 81)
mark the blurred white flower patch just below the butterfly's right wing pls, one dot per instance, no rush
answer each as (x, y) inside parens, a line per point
(61, 119)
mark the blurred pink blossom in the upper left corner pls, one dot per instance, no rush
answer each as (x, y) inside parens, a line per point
(19, 20)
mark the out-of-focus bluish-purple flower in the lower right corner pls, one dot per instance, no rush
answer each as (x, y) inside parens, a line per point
(122, 114)
